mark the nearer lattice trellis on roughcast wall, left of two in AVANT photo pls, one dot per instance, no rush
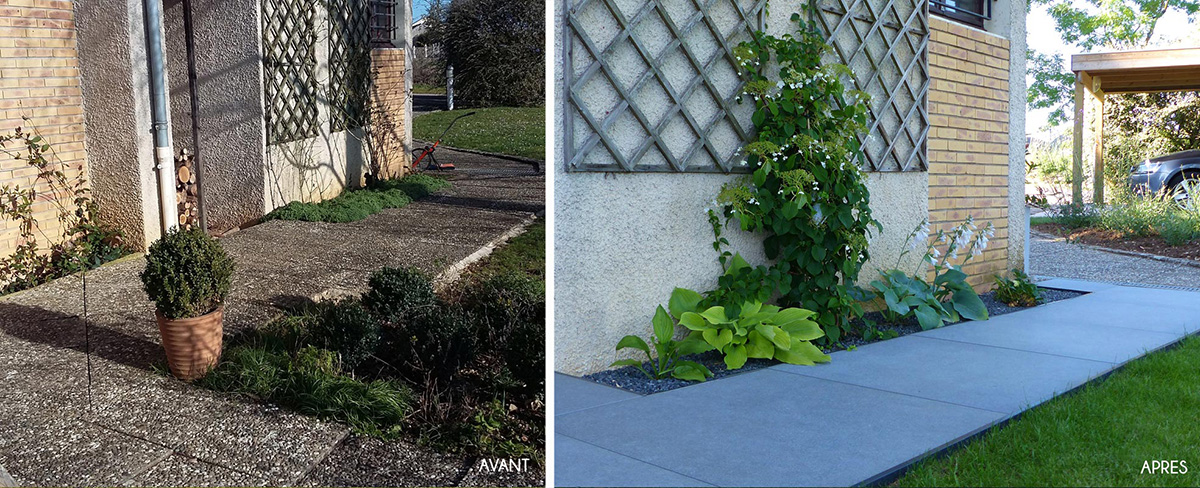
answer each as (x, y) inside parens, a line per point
(290, 70)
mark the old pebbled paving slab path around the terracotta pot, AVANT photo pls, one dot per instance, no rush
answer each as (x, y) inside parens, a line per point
(142, 429)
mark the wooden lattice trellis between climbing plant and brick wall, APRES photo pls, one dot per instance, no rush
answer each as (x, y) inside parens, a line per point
(885, 43)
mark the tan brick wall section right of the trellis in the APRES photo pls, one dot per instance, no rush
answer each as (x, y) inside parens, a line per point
(969, 137)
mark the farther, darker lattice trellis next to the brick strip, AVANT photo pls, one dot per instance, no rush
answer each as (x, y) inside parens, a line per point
(350, 63)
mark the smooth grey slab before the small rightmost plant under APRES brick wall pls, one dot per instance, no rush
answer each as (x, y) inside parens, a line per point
(1082, 339)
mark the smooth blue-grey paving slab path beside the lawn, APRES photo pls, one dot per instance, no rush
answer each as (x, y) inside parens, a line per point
(869, 412)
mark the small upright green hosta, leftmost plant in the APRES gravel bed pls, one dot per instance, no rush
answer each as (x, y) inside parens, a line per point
(669, 352)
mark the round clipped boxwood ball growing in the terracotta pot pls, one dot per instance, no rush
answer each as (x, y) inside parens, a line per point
(188, 274)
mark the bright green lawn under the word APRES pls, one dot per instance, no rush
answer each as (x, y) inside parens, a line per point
(1100, 436)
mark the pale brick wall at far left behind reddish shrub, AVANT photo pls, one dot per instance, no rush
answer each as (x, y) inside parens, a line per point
(40, 81)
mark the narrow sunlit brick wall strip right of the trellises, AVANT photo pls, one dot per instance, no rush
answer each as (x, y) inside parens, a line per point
(388, 123)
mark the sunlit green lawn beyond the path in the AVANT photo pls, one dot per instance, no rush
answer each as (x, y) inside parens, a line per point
(503, 130)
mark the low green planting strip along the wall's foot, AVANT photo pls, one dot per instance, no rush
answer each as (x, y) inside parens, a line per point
(362, 203)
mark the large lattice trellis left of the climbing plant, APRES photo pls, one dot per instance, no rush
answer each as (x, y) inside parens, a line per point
(651, 86)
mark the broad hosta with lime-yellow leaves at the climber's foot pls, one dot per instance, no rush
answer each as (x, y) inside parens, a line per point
(761, 332)
